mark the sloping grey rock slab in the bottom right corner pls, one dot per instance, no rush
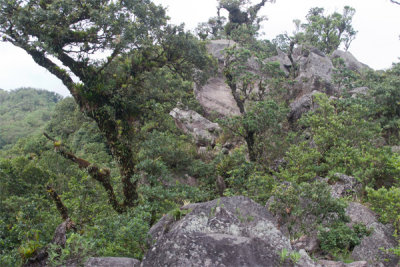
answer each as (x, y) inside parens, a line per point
(370, 249)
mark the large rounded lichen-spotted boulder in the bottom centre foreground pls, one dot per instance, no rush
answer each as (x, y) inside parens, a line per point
(225, 232)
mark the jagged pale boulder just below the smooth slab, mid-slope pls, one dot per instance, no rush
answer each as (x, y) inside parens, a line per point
(204, 131)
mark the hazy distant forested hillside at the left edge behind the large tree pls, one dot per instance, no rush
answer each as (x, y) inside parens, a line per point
(23, 112)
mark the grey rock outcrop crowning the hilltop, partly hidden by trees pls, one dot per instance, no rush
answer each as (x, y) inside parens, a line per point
(313, 72)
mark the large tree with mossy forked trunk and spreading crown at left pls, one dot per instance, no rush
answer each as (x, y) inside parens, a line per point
(111, 91)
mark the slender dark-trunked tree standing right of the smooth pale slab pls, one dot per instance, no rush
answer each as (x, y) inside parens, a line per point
(250, 88)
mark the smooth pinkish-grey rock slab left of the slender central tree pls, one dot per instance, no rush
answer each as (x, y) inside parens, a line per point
(216, 97)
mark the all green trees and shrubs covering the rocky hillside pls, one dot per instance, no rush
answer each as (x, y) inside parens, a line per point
(130, 162)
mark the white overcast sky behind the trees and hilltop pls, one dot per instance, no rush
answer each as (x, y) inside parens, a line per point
(377, 43)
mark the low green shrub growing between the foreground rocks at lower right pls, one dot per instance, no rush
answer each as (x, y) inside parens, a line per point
(341, 239)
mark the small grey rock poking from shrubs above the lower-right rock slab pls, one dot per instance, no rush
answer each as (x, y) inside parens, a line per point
(345, 186)
